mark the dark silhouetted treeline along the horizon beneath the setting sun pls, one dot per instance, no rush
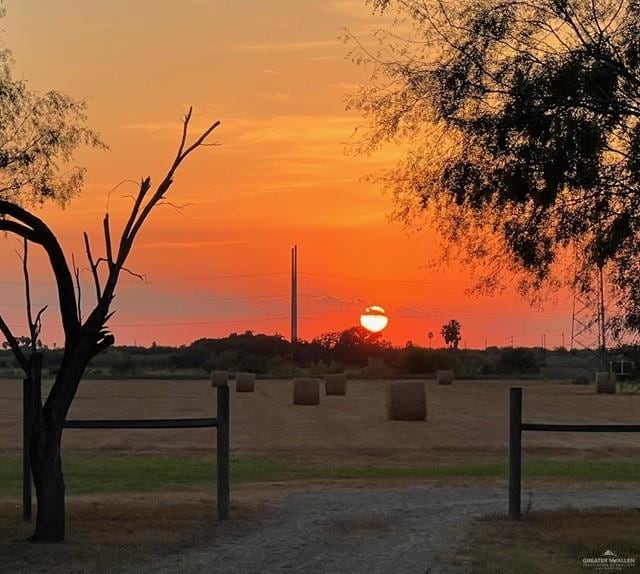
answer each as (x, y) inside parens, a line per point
(353, 350)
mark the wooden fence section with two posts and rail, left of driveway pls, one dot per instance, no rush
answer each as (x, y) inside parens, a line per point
(221, 422)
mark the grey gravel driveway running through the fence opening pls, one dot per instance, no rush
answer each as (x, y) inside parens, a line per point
(368, 530)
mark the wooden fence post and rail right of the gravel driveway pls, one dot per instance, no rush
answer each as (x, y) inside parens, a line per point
(517, 427)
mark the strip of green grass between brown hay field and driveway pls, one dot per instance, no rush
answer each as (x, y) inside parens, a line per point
(143, 473)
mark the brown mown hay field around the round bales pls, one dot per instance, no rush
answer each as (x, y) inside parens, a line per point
(466, 419)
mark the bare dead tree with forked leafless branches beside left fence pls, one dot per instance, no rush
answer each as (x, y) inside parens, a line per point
(83, 338)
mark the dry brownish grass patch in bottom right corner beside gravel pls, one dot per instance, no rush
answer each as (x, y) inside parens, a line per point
(554, 542)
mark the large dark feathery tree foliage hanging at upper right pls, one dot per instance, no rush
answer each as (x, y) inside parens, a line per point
(522, 119)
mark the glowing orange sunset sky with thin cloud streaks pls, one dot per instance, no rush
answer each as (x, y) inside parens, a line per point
(275, 73)
